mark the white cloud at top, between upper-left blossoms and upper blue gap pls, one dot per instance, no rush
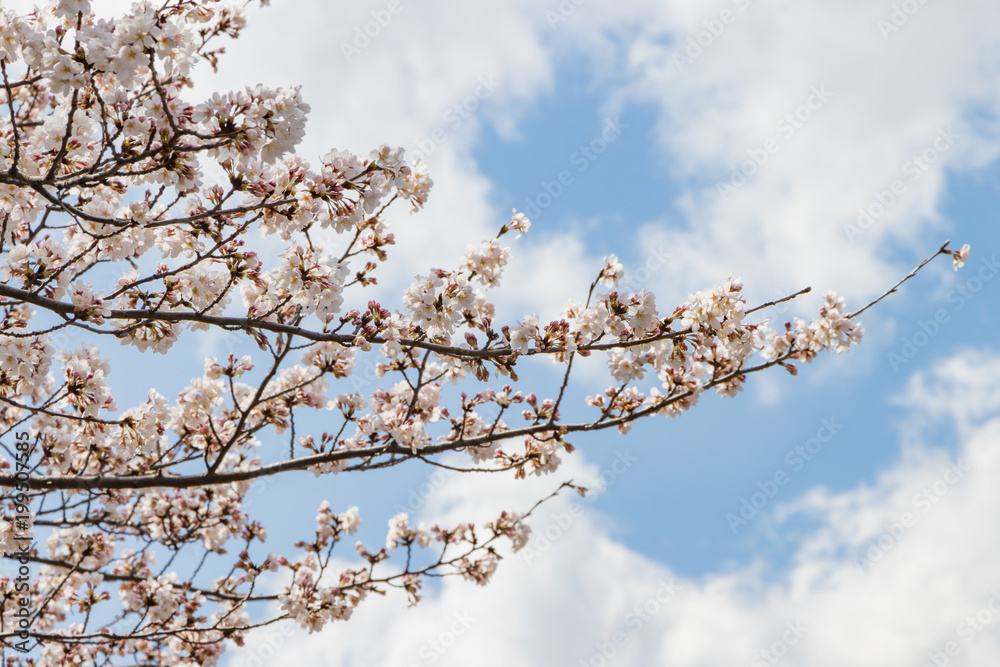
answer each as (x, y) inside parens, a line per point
(485, 67)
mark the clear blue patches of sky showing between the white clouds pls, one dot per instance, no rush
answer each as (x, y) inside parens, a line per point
(703, 471)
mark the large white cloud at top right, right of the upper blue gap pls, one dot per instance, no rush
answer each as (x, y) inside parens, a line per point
(889, 100)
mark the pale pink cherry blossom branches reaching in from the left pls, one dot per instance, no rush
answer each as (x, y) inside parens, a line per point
(130, 211)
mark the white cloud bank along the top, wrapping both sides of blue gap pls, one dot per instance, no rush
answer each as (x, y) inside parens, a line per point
(889, 99)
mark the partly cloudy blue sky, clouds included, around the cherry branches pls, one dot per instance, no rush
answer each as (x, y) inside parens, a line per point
(655, 190)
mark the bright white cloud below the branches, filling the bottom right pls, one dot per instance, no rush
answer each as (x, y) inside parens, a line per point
(893, 572)
